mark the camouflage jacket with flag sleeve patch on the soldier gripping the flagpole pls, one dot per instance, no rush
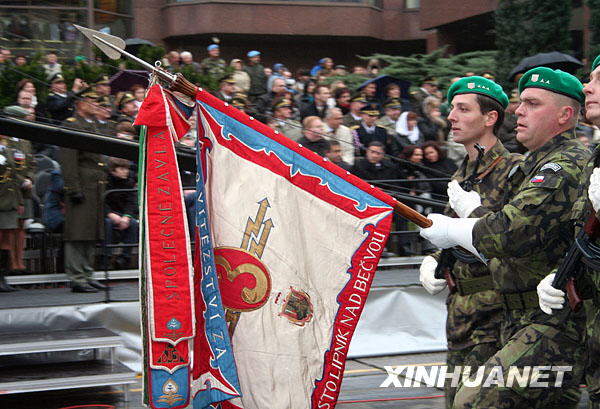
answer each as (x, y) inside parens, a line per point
(528, 237)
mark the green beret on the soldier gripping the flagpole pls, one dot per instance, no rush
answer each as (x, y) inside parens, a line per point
(556, 81)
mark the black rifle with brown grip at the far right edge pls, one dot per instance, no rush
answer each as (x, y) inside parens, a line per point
(581, 250)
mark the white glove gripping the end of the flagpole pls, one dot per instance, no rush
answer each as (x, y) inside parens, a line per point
(447, 232)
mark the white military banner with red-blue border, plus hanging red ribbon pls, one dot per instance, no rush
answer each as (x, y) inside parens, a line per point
(287, 245)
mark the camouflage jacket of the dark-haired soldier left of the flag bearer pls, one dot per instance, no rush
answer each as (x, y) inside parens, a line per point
(475, 318)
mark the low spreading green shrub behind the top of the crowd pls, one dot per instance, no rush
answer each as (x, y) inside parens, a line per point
(418, 66)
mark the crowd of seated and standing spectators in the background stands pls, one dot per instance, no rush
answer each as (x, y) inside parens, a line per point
(402, 140)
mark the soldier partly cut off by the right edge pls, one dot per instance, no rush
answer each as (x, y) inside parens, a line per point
(588, 200)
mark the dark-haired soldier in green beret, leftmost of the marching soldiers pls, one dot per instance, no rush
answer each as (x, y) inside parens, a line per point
(474, 307)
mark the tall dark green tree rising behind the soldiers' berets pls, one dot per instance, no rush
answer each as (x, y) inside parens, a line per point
(528, 27)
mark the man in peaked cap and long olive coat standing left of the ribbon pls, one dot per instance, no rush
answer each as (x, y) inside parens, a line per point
(85, 176)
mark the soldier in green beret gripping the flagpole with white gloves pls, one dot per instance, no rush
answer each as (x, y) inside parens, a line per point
(523, 241)
